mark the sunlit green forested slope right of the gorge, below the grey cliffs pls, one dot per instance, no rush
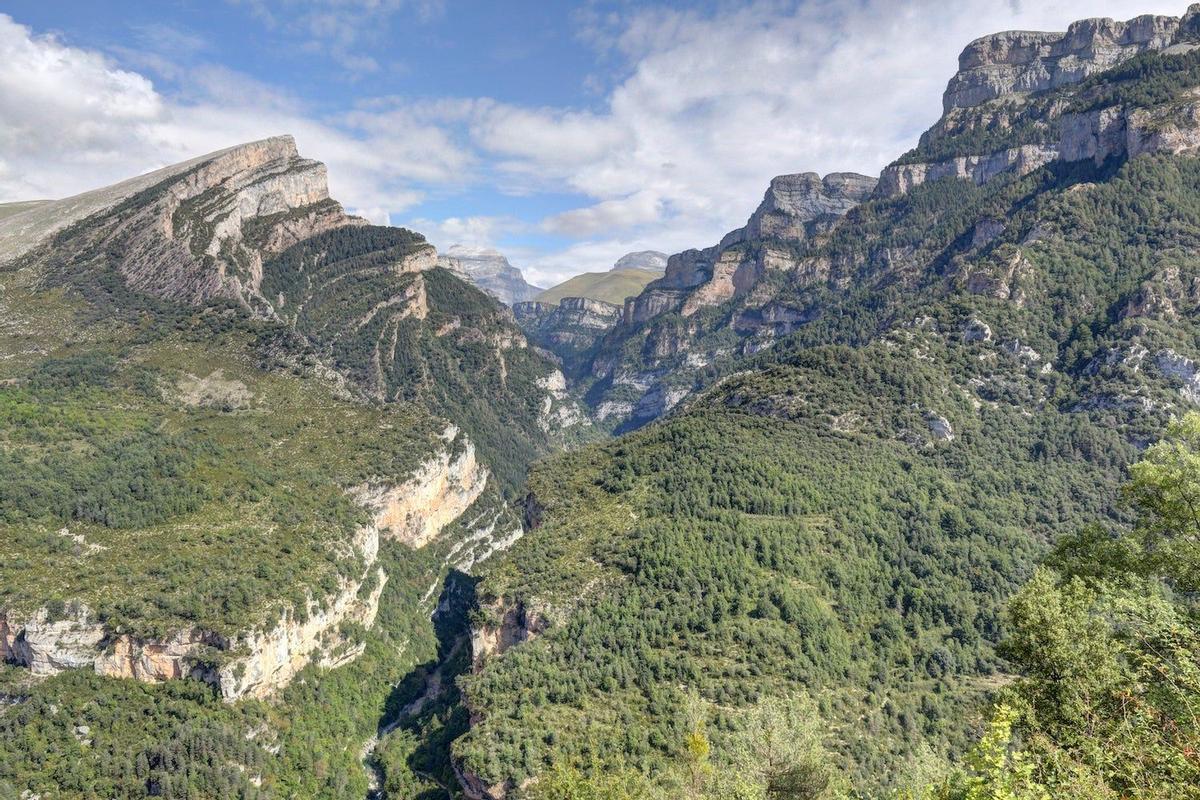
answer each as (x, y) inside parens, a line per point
(749, 550)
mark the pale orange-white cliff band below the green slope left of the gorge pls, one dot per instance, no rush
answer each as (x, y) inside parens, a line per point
(257, 663)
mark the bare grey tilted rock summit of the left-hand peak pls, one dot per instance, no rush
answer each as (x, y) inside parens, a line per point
(203, 230)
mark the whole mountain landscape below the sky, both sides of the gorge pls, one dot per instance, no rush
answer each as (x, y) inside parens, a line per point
(861, 501)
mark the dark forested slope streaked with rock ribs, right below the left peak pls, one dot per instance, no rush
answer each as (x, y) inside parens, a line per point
(424, 338)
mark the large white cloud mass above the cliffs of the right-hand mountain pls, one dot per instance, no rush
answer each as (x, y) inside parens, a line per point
(715, 105)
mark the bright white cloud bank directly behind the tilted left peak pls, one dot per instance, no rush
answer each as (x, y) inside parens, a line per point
(73, 121)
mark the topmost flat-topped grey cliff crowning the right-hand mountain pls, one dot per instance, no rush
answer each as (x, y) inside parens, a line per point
(1028, 62)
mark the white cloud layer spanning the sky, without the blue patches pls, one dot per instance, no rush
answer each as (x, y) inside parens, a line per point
(704, 109)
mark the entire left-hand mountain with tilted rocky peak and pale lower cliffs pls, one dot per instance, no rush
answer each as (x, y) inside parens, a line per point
(250, 441)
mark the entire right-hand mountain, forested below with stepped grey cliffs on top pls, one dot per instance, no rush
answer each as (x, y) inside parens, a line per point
(889, 401)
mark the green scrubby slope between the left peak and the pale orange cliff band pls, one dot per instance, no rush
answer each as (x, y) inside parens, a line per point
(165, 501)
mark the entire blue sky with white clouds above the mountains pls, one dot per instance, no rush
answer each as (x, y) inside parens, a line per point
(562, 134)
